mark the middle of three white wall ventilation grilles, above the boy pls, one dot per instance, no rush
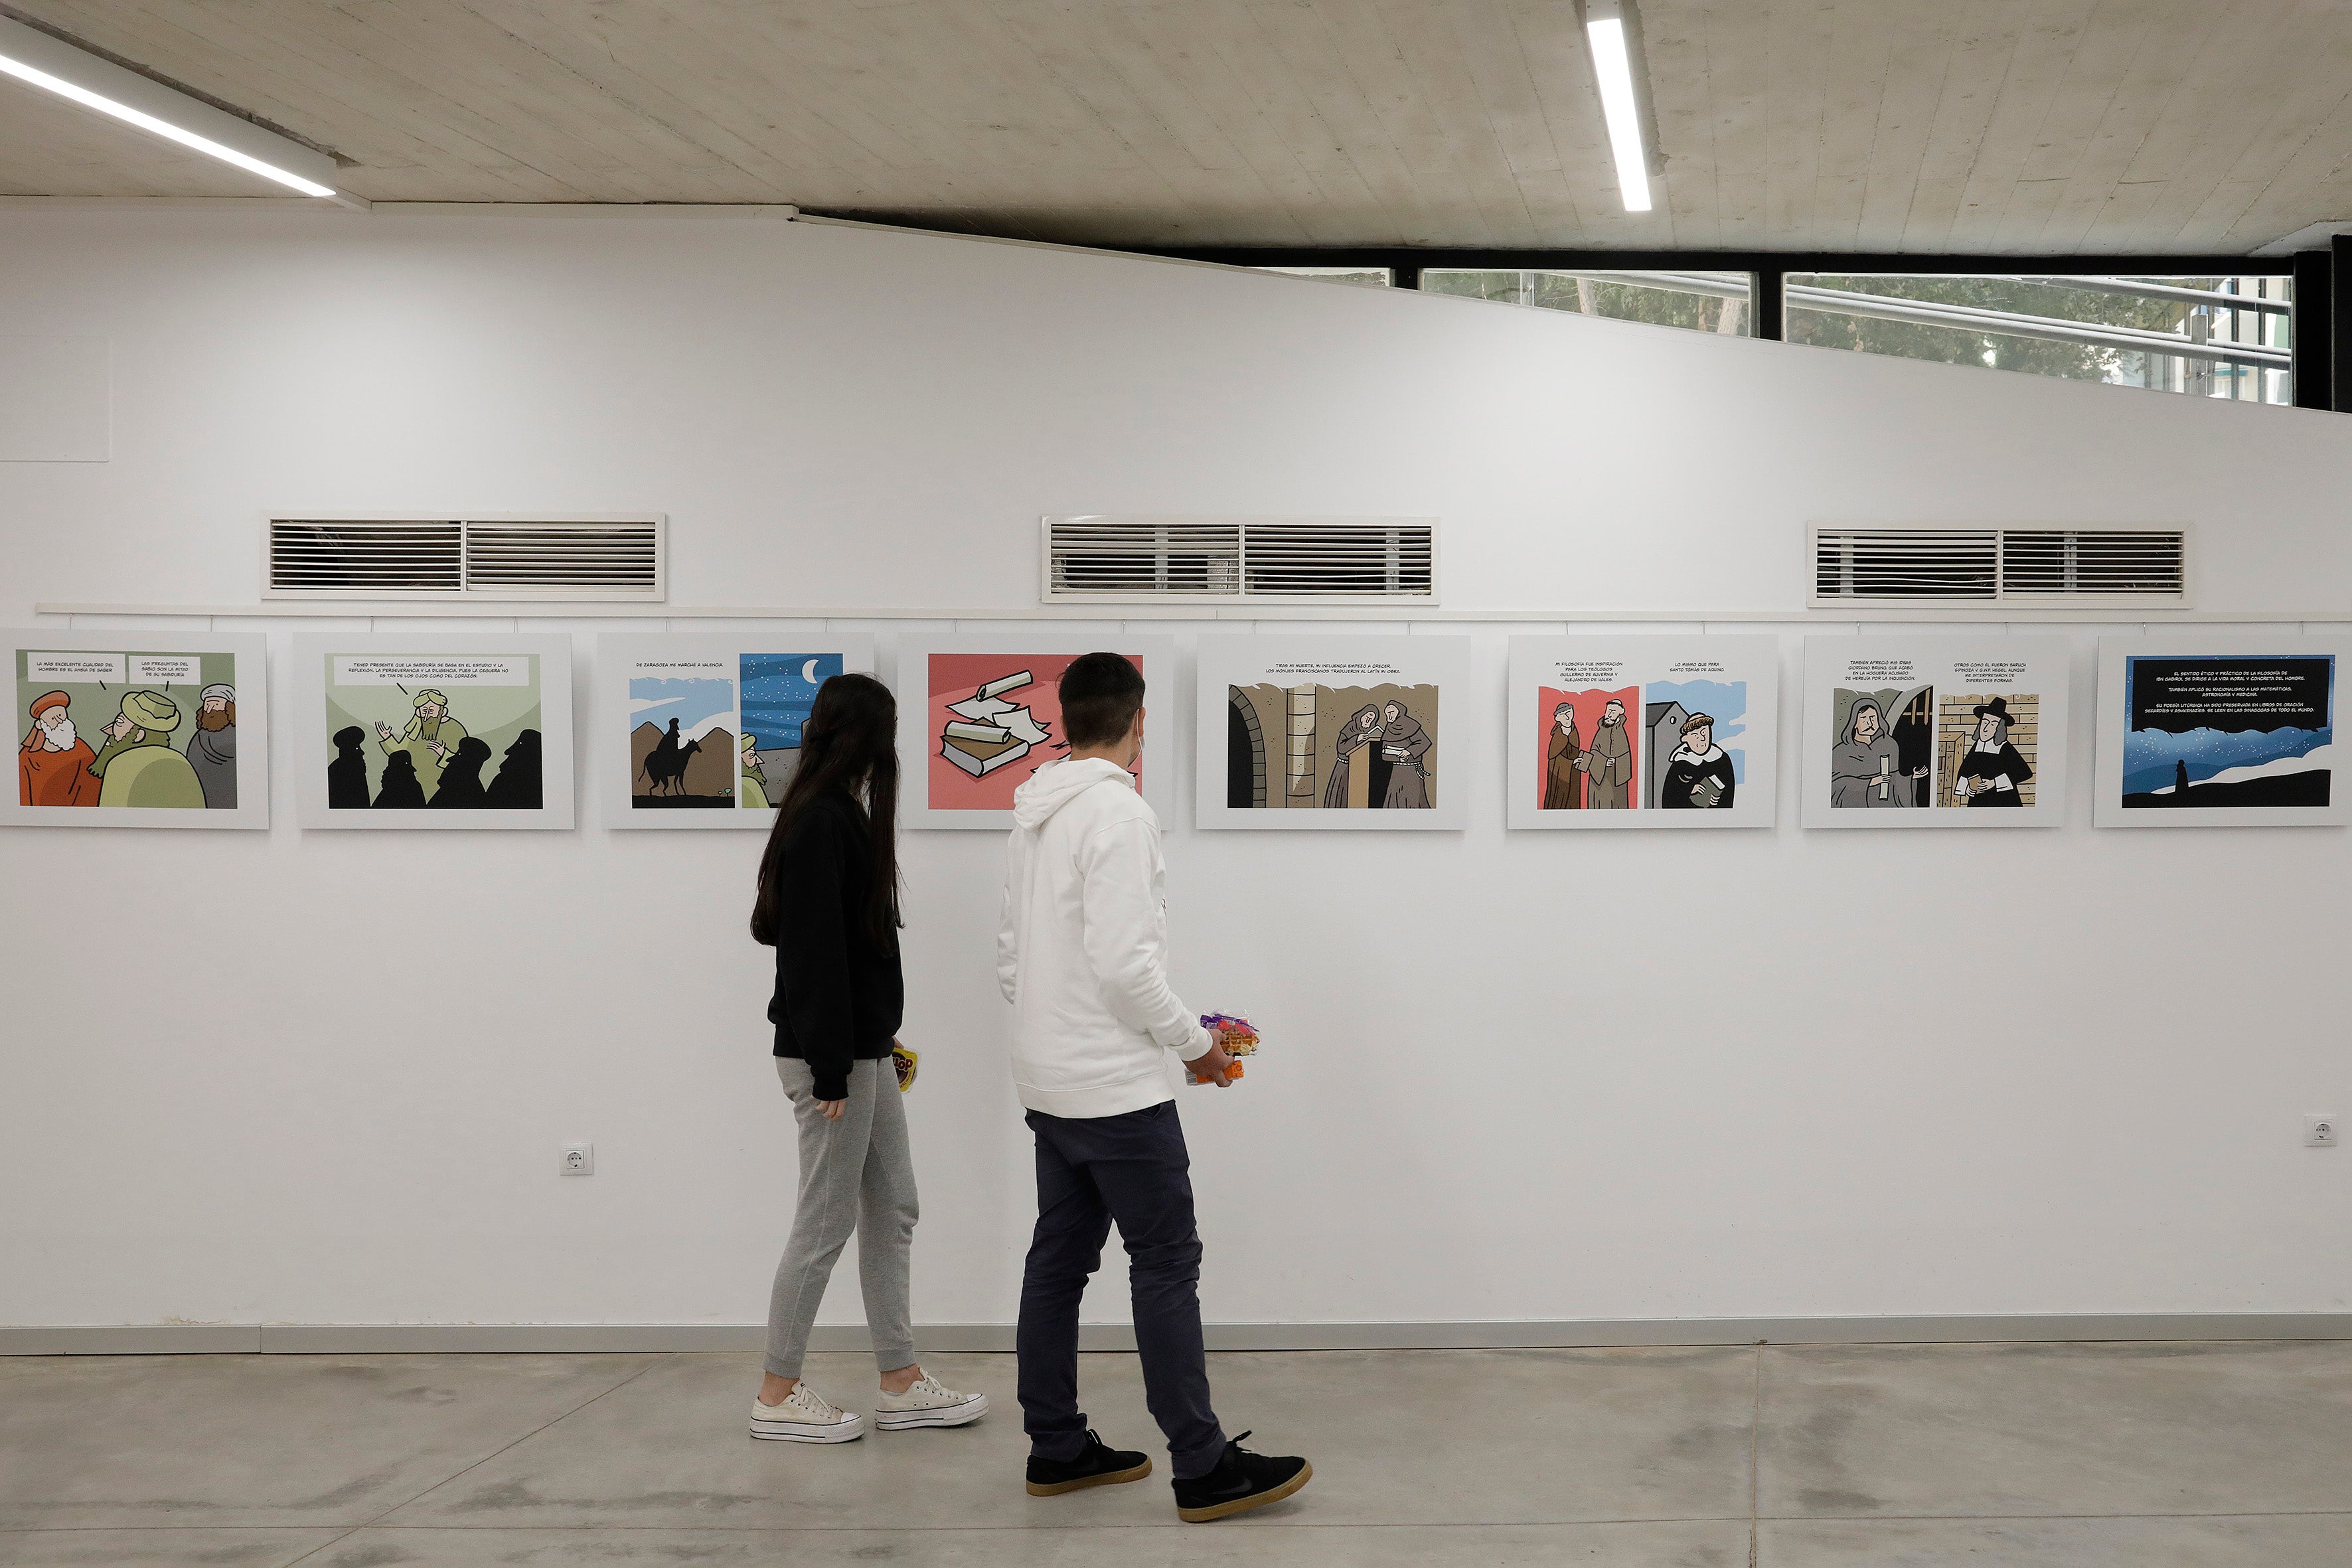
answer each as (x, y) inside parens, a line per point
(1236, 561)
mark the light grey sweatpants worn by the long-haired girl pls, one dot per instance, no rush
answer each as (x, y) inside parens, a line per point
(855, 1177)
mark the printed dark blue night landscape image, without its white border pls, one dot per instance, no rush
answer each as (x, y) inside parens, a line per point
(2236, 735)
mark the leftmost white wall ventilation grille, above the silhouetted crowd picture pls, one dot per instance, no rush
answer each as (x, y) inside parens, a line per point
(465, 558)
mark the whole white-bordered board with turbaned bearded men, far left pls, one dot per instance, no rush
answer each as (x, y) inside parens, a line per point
(140, 730)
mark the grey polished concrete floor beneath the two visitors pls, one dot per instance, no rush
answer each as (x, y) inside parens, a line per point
(1892, 1456)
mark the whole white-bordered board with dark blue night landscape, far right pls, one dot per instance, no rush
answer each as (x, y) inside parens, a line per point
(2219, 732)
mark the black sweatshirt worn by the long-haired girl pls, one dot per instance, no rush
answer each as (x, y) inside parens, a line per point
(838, 991)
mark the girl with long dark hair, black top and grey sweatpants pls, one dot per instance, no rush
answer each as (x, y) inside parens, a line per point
(829, 906)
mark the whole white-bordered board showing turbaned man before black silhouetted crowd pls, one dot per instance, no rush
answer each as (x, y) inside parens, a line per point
(432, 730)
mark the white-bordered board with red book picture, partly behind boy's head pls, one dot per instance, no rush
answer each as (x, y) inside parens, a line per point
(980, 716)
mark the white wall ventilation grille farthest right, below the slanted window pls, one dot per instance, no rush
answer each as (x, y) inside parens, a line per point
(1920, 568)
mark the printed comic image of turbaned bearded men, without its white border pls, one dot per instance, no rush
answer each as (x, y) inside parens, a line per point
(109, 730)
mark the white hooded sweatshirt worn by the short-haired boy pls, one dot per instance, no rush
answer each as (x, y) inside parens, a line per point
(1083, 946)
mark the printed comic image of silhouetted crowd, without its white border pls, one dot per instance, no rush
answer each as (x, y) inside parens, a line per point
(429, 732)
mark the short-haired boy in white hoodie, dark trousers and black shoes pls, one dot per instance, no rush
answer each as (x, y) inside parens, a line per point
(1083, 960)
